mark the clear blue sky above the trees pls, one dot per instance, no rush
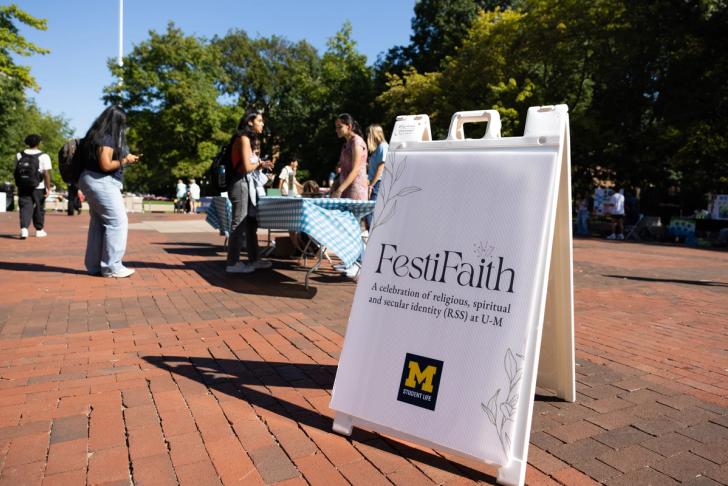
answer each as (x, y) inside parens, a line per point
(83, 34)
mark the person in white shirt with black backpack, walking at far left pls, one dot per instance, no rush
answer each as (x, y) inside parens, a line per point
(33, 180)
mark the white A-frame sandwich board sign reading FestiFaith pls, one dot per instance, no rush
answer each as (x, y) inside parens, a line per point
(467, 276)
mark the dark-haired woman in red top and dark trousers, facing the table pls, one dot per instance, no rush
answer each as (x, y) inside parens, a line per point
(242, 194)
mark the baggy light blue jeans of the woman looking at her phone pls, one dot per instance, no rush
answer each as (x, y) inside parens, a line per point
(107, 231)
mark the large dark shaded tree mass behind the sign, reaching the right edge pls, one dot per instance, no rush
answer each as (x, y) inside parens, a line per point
(642, 81)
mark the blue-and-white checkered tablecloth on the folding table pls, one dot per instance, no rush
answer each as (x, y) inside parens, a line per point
(334, 223)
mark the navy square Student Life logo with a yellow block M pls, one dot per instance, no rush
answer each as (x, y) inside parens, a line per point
(420, 381)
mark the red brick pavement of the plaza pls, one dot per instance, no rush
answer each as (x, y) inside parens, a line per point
(182, 375)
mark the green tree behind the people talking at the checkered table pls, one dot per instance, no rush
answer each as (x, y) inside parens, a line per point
(299, 91)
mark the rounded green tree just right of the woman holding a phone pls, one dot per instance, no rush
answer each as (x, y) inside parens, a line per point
(168, 88)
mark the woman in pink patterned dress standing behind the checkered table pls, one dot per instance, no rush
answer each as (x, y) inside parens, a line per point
(353, 160)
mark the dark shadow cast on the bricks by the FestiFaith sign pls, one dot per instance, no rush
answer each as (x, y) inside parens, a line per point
(236, 377)
